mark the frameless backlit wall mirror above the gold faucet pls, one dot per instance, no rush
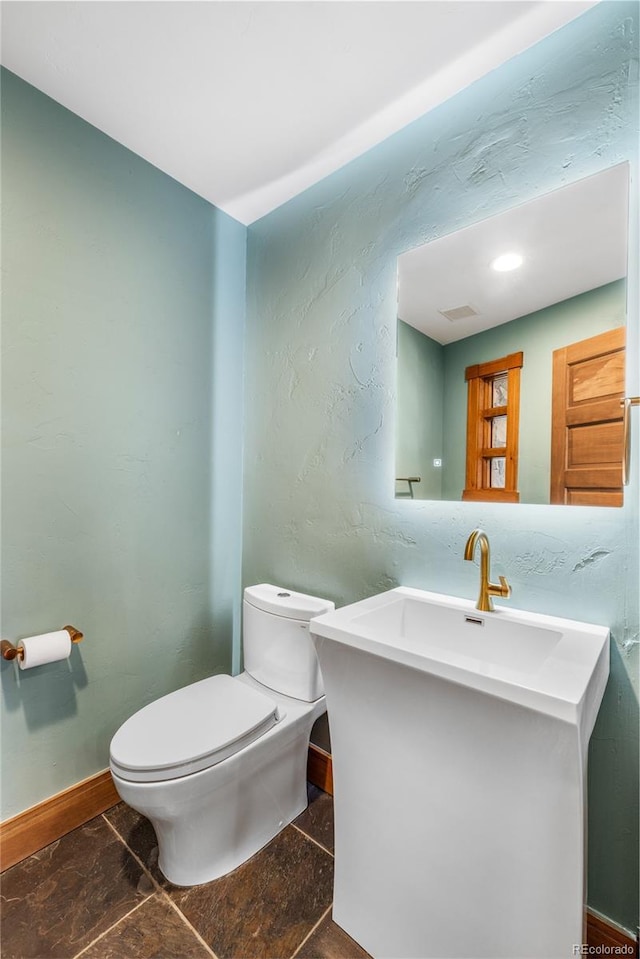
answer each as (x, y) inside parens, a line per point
(510, 379)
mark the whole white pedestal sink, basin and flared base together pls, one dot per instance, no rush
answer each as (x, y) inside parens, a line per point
(459, 744)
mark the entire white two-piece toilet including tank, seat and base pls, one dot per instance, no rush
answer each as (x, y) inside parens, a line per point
(219, 767)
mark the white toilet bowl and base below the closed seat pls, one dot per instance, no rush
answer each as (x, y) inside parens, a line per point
(210, 822)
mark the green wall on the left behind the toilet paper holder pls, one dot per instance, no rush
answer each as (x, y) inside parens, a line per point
(121, 483)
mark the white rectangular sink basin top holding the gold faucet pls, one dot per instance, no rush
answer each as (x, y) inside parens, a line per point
(556, 666)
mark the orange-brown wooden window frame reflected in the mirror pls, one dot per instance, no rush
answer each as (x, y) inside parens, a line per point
(480, 412)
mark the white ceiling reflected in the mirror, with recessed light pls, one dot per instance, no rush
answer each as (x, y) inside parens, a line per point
(572, 240)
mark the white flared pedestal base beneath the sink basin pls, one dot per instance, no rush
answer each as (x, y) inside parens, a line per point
(459, 816)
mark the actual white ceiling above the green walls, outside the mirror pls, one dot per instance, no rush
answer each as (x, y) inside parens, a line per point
(249, 103)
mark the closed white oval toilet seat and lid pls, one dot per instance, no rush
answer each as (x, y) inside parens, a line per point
(191, 729)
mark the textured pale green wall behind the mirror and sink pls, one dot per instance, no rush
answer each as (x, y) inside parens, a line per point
(320, 514)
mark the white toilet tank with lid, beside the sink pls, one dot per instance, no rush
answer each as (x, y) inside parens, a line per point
(277, 646)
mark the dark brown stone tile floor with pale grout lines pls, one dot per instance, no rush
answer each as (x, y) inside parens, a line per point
(98, 893)
